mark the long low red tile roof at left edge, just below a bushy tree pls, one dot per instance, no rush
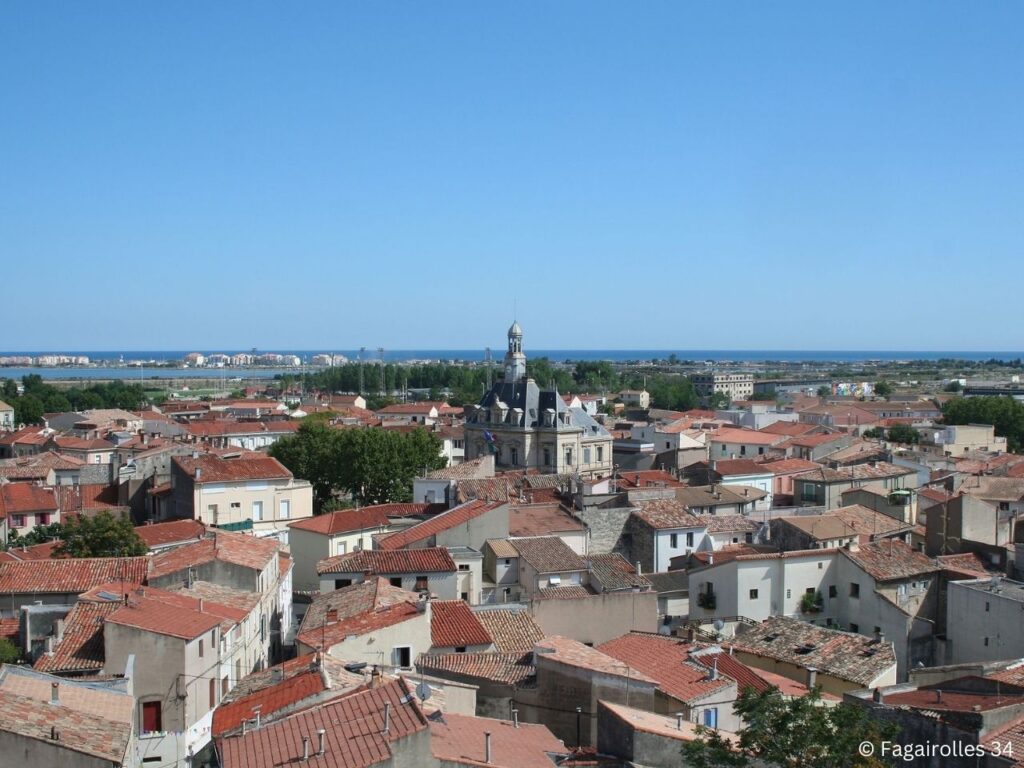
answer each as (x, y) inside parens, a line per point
(70, 576)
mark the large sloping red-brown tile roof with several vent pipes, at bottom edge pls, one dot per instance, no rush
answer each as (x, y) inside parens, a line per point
(354, 727)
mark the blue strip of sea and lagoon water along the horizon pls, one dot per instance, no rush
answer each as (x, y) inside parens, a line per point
(125, 365)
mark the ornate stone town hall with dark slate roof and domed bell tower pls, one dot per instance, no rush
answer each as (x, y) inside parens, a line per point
(526, 428)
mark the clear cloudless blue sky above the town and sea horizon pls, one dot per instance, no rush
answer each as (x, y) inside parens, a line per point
(633, 176)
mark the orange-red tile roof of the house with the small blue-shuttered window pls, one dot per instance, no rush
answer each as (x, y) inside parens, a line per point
(666, 661)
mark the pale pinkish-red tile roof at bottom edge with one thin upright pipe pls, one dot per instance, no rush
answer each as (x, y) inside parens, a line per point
(460, 739)
